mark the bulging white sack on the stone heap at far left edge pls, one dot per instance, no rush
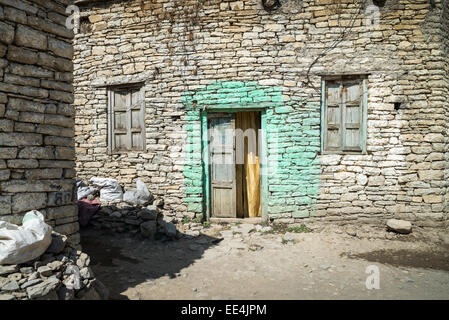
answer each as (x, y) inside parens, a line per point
(20, 244)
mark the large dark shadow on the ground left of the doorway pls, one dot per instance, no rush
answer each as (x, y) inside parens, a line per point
(122, 260)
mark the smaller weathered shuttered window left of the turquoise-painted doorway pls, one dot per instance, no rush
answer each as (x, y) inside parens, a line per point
(126, 119)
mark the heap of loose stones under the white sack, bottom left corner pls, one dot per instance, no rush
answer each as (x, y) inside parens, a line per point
(62, 273)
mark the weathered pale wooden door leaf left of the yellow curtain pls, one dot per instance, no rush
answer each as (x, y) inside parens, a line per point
(222, 164)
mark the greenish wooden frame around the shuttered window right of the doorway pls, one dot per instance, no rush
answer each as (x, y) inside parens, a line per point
(363, 78)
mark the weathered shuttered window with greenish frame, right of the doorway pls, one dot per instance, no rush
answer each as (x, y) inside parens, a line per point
(344, 115)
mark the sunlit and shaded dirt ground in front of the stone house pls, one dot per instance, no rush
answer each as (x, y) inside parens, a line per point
(237, 262)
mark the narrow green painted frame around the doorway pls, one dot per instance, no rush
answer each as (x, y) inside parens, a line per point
(205, 160)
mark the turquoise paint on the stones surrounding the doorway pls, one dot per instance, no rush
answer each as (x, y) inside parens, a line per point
(293, 144)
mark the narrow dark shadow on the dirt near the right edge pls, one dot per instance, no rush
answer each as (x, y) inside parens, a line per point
(437, 259)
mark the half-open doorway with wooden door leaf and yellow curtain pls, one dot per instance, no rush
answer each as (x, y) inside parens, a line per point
(234, 164)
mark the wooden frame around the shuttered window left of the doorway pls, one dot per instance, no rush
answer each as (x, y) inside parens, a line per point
(112, 149)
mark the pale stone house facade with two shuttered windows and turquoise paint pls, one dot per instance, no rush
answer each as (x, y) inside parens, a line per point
(352, 98)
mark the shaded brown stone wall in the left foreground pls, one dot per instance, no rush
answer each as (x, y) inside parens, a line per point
(36, 116)
